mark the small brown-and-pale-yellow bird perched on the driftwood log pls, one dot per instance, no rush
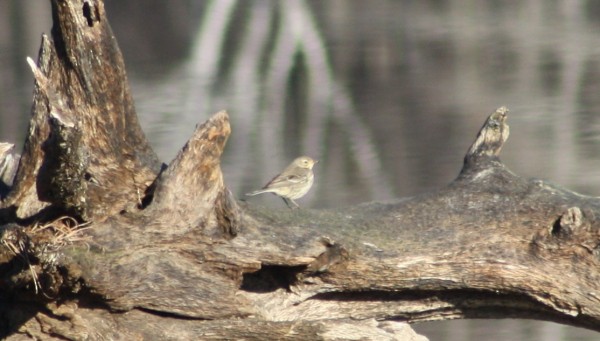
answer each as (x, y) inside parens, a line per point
(293, 183)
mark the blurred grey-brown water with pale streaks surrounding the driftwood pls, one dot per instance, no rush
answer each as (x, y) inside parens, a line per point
(388, 95)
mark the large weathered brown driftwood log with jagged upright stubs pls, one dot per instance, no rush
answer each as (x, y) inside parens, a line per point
(101, 241)
